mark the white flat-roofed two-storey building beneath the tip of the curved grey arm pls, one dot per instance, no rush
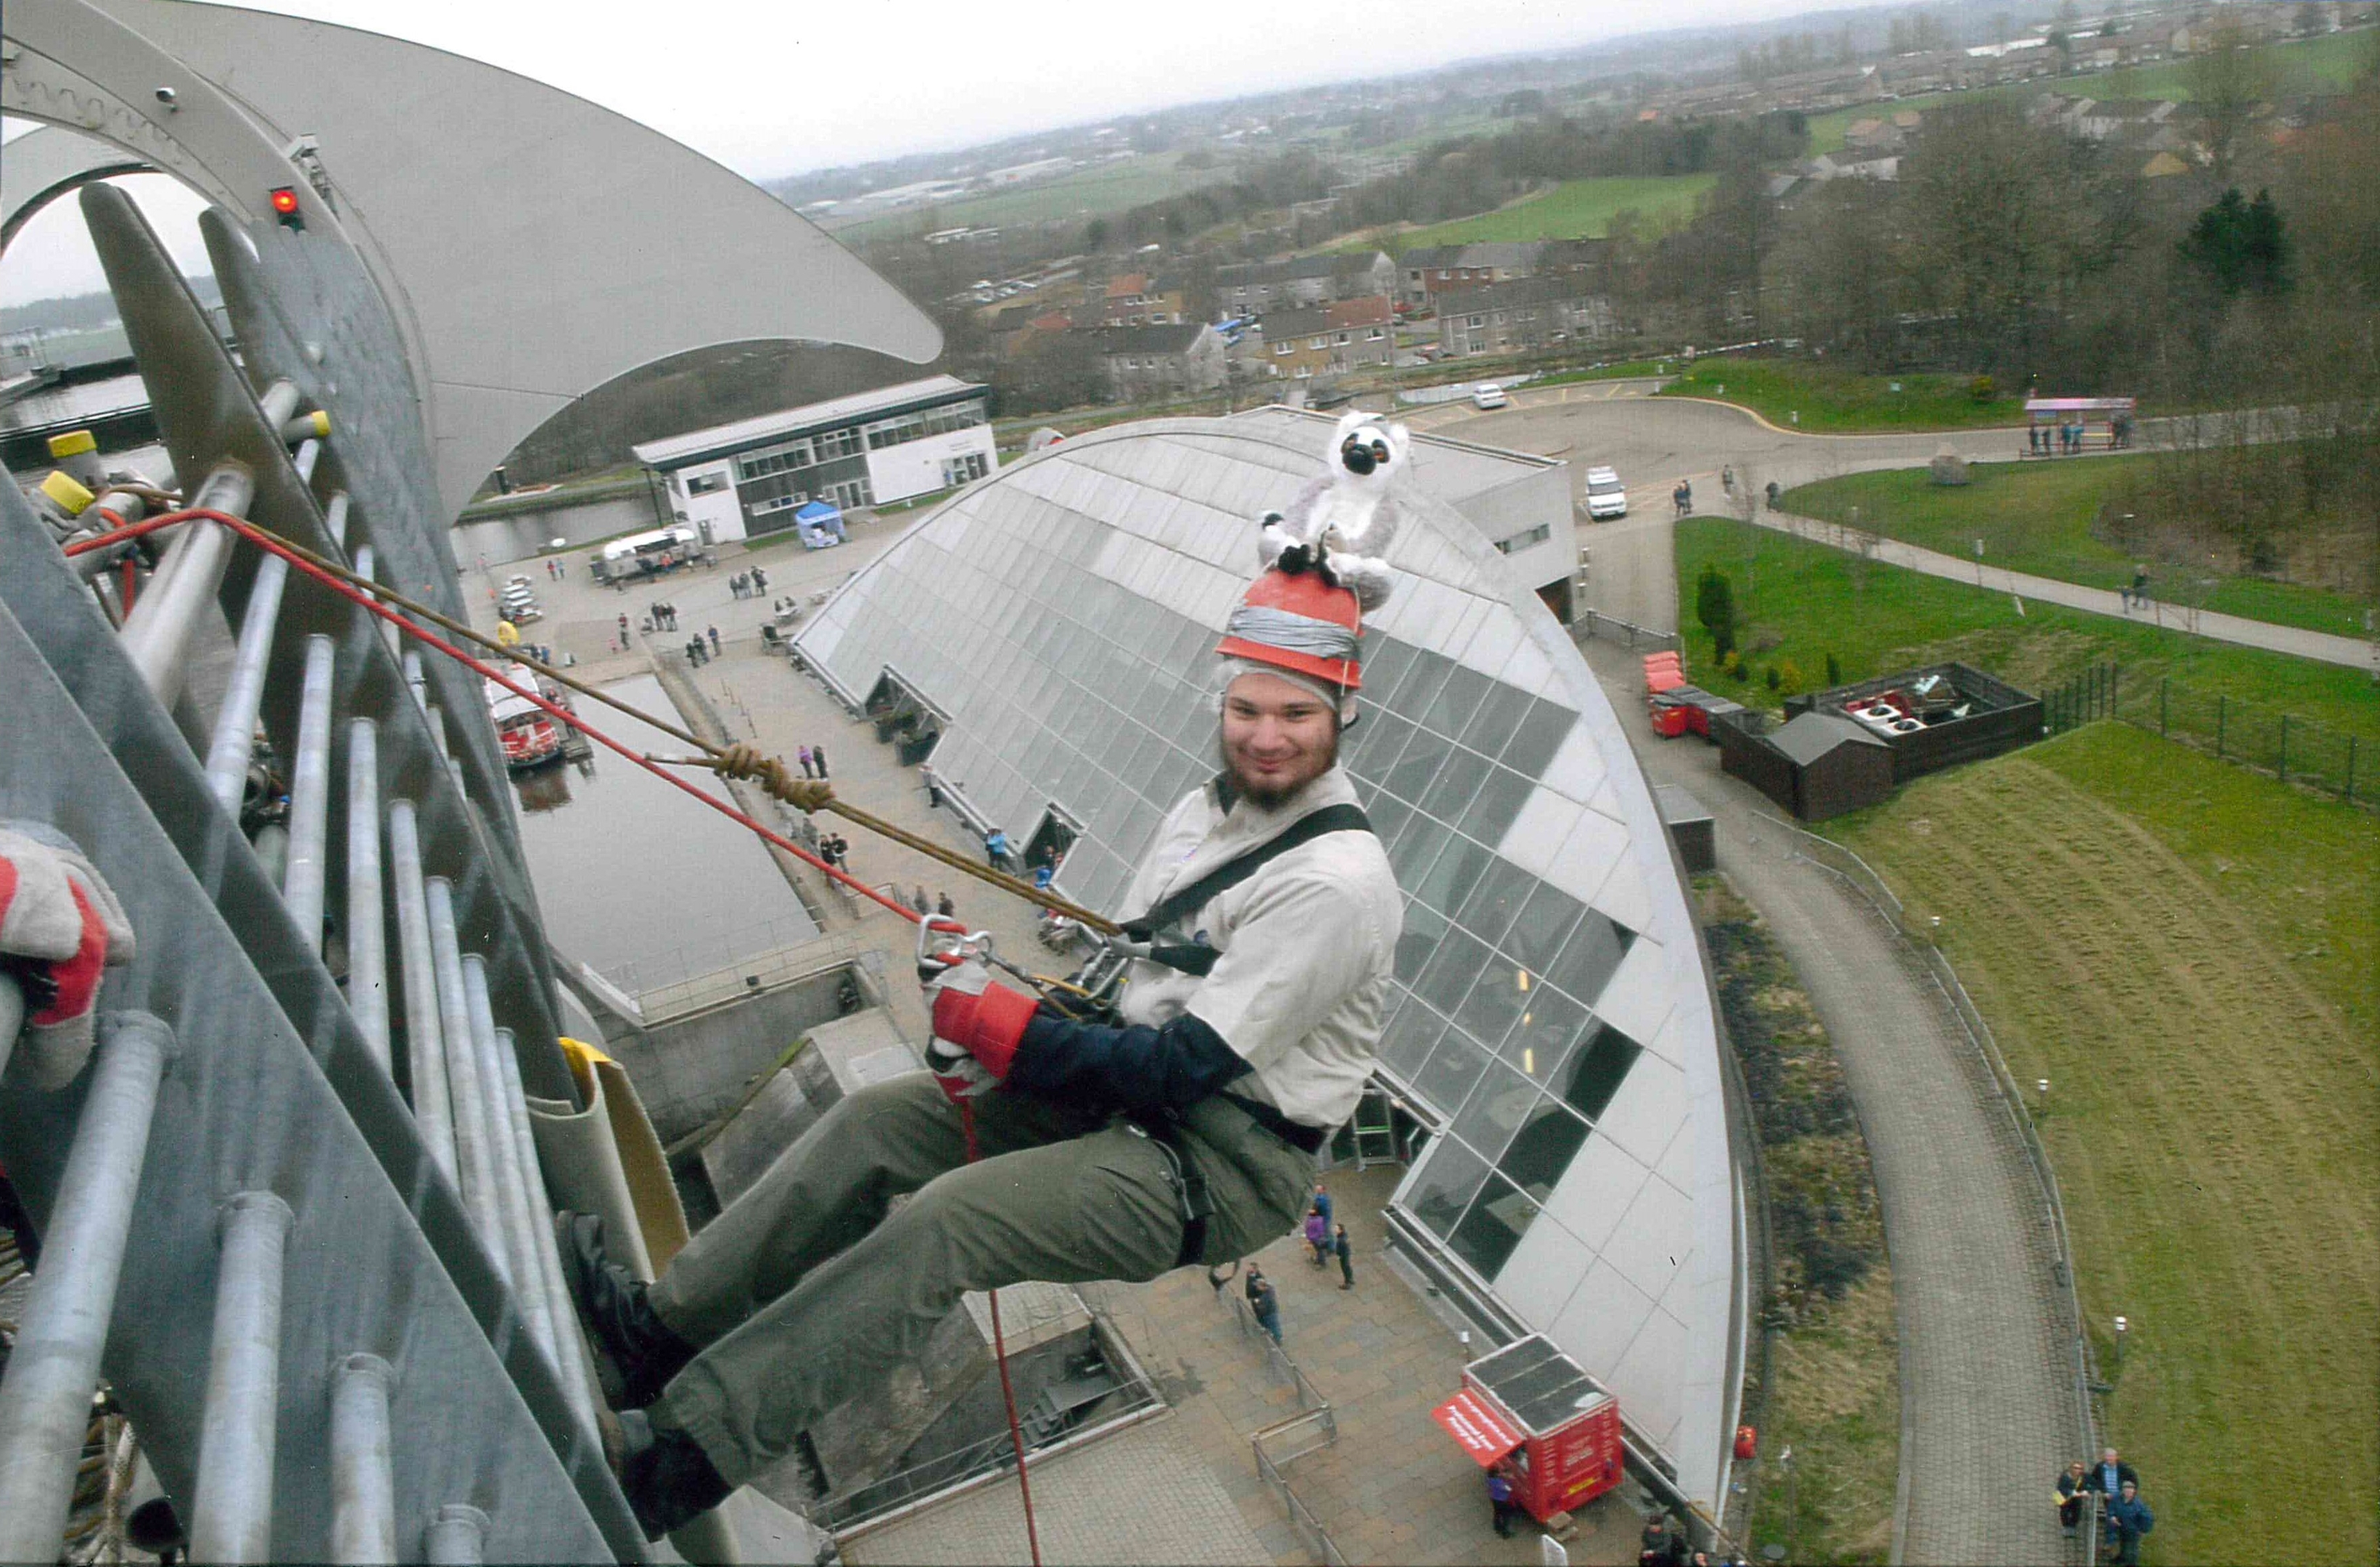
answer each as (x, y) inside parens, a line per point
(891, 444)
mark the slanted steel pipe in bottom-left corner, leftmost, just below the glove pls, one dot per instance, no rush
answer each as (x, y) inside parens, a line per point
(56, 1366)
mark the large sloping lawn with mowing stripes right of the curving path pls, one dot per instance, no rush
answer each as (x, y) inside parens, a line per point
(2186, 954)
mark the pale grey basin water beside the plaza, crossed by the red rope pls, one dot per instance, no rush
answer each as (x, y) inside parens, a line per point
(637, 880)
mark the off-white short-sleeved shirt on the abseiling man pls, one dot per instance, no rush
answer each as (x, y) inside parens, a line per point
(1308, 949)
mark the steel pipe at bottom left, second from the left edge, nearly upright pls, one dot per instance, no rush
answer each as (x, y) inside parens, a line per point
(234, 1497)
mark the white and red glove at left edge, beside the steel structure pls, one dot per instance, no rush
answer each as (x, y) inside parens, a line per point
(61, 925)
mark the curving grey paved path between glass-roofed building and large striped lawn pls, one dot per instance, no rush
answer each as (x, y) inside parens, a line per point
(1988, 1413)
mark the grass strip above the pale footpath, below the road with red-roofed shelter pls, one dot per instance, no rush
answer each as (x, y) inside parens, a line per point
(2038, 520)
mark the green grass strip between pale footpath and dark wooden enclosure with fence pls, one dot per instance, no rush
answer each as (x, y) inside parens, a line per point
(1800, 601)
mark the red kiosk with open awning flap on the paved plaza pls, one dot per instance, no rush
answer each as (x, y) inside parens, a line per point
(1532, 1401)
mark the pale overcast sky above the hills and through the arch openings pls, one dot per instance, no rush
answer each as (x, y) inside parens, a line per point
(775, 89)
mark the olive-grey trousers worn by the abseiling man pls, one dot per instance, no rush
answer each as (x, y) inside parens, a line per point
(803, 1292)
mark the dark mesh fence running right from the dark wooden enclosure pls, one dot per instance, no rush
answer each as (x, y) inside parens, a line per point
(2291, 749)
